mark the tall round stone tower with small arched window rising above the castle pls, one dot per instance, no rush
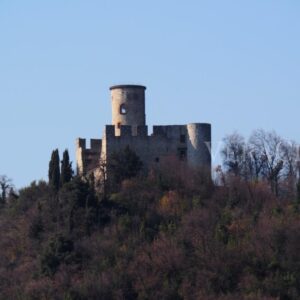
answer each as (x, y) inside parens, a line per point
(128, 106)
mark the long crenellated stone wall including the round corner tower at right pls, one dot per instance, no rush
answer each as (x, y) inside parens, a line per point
(189, 143)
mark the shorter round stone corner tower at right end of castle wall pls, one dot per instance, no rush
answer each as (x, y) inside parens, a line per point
(199, 145)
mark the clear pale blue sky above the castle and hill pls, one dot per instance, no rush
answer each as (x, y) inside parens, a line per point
(233, 63)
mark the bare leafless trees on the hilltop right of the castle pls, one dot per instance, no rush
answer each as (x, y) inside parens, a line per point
(264, 157)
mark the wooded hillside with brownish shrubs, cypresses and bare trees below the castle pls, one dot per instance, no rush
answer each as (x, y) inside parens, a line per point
(171, 234)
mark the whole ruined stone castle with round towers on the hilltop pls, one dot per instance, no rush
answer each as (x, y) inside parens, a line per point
(189, 143)
